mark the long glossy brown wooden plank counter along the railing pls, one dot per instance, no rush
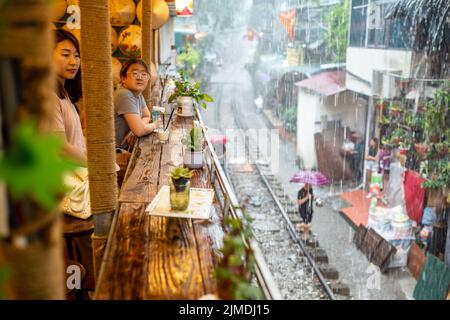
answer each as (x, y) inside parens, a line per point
(149, 257)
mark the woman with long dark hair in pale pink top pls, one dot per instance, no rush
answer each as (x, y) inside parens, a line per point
(66, 120)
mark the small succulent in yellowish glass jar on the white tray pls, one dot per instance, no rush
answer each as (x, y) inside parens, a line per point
(180, 188)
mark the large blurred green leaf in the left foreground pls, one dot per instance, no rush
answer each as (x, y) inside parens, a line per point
(33, 167)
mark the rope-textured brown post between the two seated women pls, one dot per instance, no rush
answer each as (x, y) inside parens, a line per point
(98, 103)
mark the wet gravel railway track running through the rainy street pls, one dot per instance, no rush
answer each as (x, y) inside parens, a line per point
(300, 269)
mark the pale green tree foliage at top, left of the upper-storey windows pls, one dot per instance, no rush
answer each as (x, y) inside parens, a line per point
(338, 24)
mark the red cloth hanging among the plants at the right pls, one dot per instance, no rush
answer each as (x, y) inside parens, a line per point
(414, 195)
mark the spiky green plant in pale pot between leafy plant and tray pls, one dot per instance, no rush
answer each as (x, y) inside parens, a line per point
(193, 155)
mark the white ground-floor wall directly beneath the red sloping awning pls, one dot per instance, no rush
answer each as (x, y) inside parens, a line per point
(311, 107)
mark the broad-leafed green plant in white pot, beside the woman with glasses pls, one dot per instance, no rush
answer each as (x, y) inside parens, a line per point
(185, 93)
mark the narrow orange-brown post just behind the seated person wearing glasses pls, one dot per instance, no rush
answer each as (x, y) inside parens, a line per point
(147, 44)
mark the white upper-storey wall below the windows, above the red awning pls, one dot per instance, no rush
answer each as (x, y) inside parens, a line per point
(362, 62)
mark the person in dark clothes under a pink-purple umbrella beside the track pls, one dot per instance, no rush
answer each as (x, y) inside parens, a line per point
(305, 197)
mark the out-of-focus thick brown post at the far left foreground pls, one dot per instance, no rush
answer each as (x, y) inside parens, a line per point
(27, 86)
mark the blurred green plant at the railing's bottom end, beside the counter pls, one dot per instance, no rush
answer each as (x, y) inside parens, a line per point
(238, 263)
